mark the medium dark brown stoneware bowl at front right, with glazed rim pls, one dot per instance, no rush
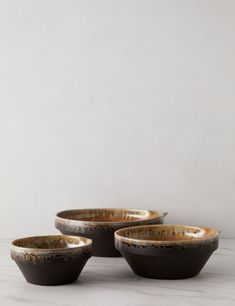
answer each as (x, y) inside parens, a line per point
(166, 251)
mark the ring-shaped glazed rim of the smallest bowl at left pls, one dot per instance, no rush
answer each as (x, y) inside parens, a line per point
(14, 247)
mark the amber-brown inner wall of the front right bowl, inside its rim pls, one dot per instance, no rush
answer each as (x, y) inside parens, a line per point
(165, 233)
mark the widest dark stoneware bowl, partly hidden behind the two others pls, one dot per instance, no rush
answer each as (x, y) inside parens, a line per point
(100, 225)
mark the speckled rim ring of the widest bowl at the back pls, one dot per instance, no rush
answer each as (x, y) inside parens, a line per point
(157, 215)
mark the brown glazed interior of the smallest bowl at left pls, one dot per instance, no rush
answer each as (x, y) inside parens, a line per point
(51, 242)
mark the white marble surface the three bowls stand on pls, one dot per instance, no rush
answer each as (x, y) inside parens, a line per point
(107, 281)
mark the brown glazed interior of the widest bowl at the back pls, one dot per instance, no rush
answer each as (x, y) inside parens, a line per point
(106, 215)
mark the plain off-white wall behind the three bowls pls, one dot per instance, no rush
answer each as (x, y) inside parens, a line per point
(117, 104)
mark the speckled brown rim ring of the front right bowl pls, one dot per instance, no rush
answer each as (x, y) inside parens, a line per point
(119, 238)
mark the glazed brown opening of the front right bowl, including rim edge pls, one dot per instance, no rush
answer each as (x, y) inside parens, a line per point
(166, 233)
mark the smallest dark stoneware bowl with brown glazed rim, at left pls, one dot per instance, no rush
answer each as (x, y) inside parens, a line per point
(51, 260)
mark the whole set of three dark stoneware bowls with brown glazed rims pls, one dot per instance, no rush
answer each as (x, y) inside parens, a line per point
(152, 249)
